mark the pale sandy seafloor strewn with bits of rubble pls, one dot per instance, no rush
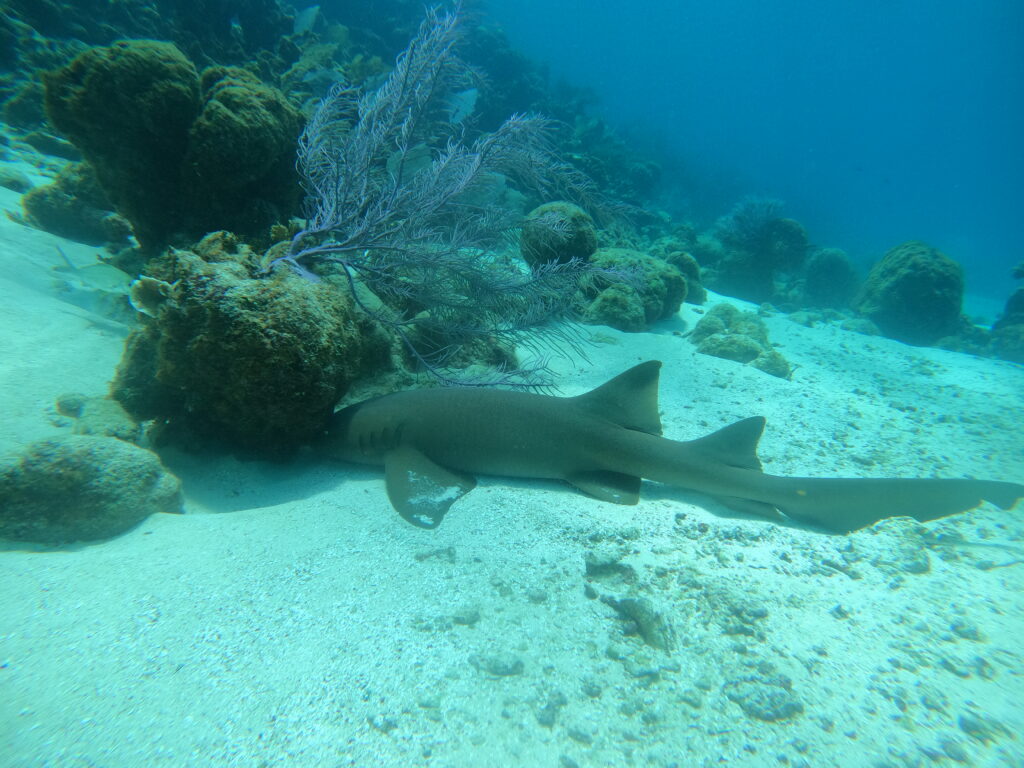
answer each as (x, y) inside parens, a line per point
(292, 619)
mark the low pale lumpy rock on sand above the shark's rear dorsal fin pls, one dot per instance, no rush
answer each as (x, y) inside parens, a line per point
(733, 334)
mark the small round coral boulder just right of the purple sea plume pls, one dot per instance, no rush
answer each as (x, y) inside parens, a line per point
(558, 232)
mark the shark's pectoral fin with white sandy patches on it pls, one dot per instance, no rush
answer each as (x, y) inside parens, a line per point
(420, 490)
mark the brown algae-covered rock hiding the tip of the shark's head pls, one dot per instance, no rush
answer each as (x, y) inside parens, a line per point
(258, 361)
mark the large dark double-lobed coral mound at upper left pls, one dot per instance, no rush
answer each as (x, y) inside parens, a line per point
(179, 155)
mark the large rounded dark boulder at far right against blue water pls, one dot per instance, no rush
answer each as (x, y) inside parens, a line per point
(914, 294)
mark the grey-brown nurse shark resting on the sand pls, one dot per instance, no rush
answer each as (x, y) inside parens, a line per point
(433, 443)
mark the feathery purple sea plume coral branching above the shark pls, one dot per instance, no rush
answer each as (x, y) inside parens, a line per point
(403, 204)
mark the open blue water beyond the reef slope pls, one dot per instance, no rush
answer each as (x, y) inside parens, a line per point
(877, 121)
